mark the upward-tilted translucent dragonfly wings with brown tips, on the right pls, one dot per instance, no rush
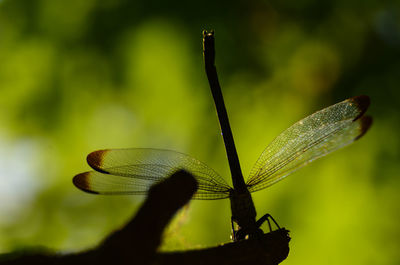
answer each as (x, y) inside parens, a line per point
(313, 137)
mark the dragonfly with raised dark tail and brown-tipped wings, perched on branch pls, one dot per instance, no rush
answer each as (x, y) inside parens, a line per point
(135, 170)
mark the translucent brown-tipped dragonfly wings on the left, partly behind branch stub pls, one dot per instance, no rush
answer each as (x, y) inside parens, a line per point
(134, 171)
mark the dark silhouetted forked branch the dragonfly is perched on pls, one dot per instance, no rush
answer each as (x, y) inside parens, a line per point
(138, 241)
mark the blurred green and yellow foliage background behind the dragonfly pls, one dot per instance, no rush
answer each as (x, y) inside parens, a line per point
(77, 76)
